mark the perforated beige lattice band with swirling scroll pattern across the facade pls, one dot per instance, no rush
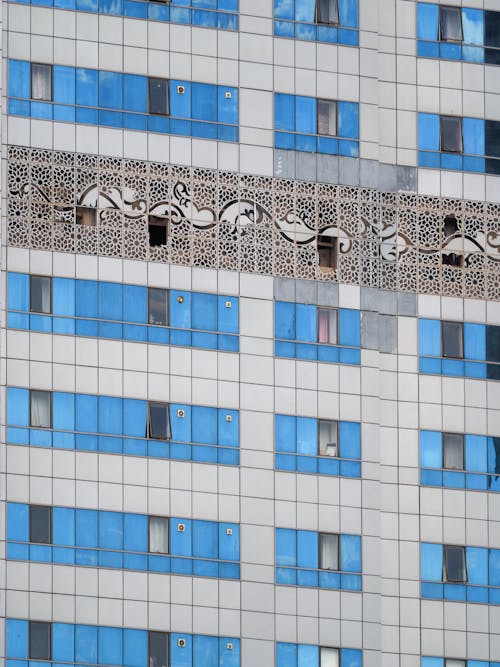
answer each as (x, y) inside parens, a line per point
(217, 219)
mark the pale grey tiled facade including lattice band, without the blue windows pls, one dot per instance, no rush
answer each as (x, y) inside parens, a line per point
(244, 223)
